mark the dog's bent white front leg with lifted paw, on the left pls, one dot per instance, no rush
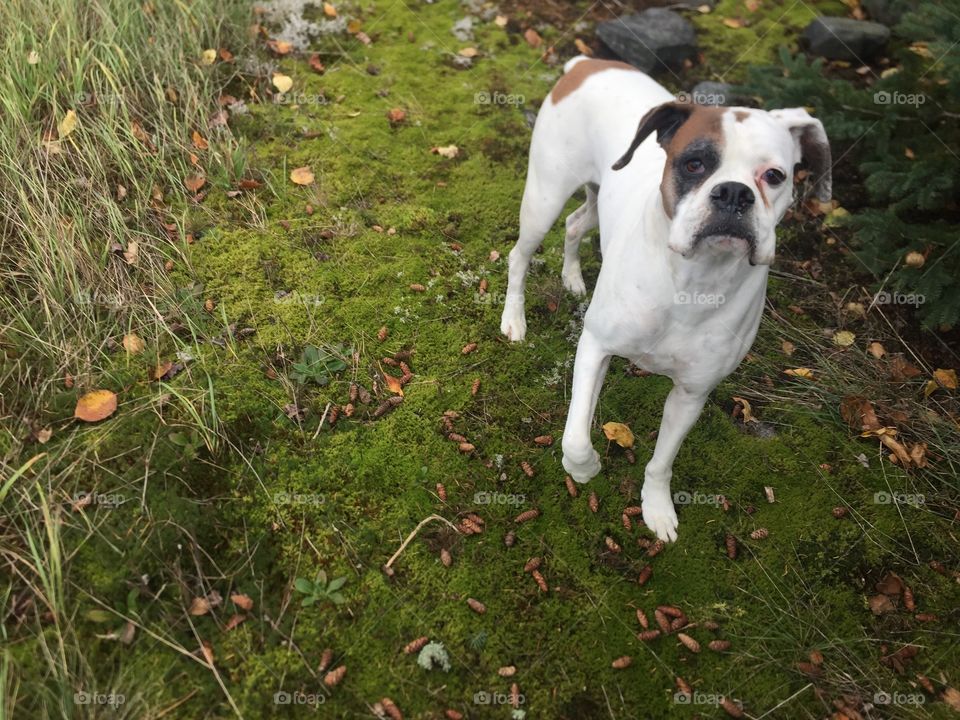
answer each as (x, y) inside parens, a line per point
(579, 457)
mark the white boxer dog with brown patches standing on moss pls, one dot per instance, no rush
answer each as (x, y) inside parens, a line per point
(686, 232)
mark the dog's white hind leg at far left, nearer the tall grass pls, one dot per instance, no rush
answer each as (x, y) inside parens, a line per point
(543, 199)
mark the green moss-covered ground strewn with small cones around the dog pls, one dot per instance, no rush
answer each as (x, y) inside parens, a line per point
(289, 498)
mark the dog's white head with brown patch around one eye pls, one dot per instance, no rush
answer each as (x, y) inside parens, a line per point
(729, 173)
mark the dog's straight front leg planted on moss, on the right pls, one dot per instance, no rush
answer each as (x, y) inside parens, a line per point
(680, 412)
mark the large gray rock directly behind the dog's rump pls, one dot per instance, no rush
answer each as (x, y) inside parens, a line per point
(650, 40)
